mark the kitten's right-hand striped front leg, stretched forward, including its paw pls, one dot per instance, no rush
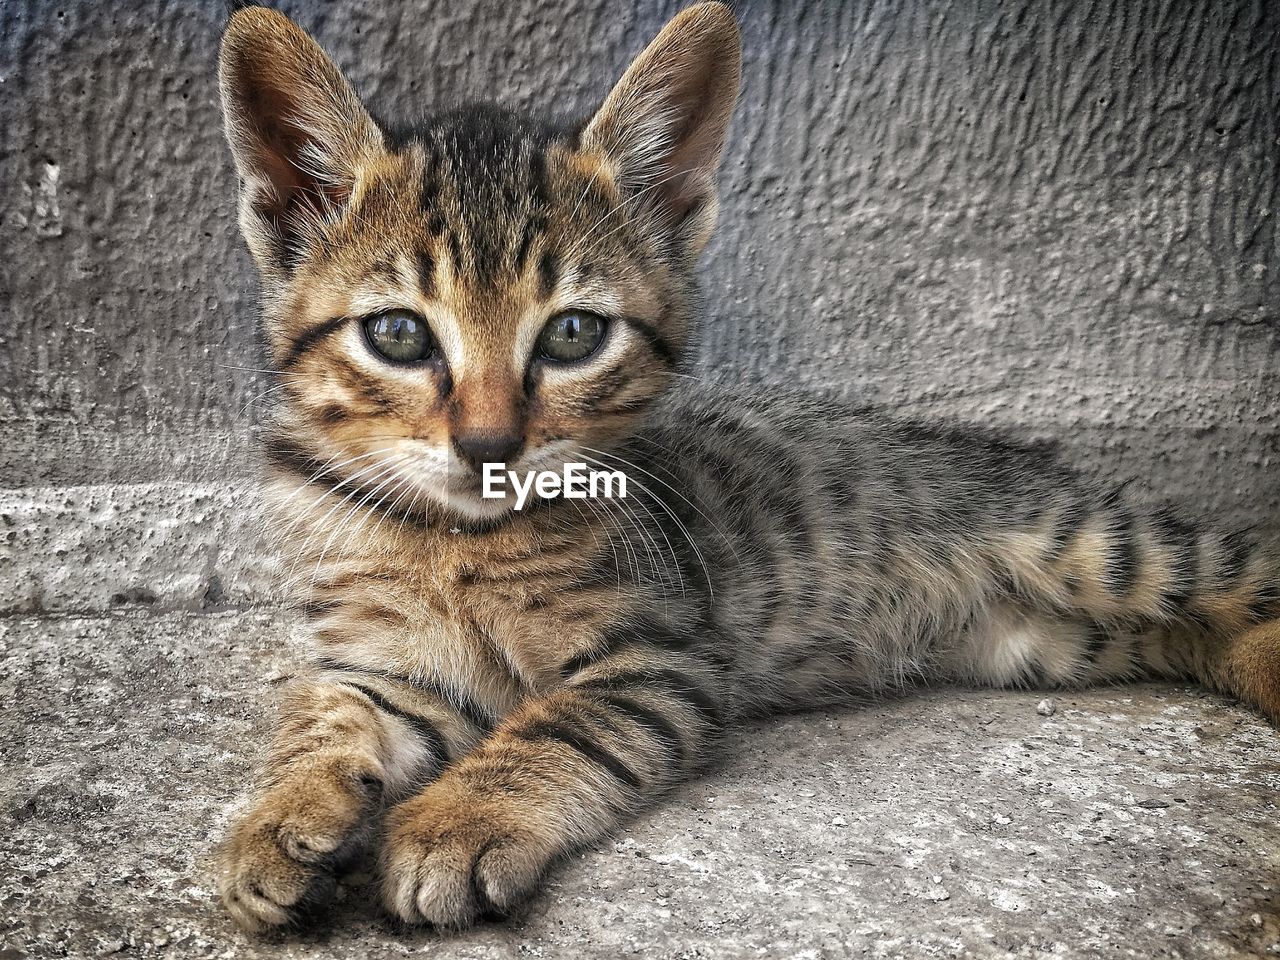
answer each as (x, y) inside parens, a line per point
(561, 771)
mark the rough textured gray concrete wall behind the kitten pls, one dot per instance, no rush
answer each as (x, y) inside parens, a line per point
(1053, 217)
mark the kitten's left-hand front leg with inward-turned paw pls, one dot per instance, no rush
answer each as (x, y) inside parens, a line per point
(348, 746)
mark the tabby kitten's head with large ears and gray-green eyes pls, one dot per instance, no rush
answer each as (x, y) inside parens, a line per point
(487, 287)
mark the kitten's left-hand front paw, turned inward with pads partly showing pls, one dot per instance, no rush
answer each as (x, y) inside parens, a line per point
(281, 861)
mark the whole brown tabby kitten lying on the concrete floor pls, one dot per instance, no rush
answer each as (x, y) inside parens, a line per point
(493, 688)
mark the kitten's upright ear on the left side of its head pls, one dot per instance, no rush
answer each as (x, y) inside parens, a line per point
(298, 130)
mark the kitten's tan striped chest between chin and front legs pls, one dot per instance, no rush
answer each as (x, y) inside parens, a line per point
(499, 614)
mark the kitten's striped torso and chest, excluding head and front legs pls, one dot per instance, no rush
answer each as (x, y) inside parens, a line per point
(798, 550)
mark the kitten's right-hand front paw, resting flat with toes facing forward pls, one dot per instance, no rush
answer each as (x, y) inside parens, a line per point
(451, 857)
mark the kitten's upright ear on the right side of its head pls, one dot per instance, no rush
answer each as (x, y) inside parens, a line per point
(665, 122)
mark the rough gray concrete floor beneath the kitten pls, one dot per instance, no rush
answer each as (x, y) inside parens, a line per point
(1133, 822)
